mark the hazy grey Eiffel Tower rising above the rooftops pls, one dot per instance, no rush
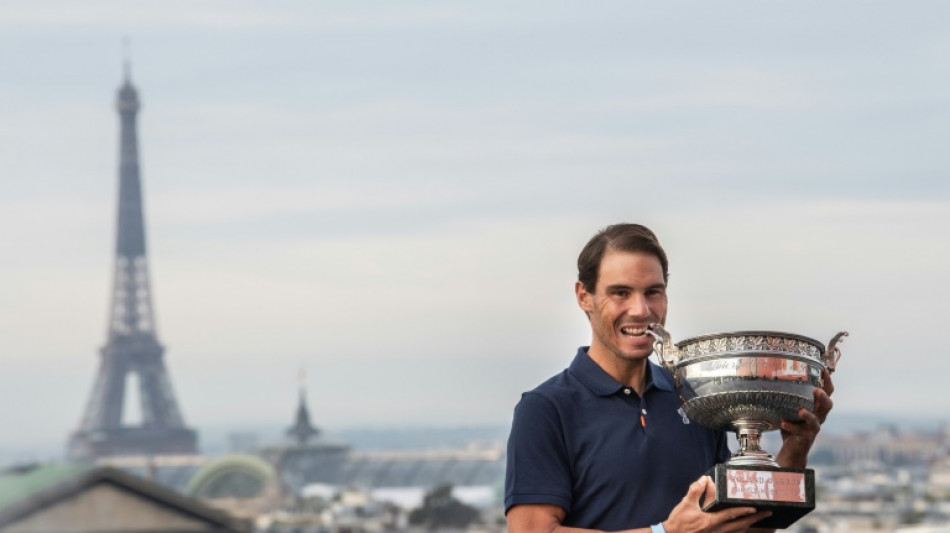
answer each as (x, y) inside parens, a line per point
(132, 347)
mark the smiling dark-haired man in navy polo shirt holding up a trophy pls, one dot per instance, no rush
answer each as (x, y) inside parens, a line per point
(605, 445)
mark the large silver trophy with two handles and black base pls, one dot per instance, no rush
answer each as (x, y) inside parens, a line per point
(747, 382)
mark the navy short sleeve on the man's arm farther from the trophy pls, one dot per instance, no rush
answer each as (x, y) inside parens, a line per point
(538, 465)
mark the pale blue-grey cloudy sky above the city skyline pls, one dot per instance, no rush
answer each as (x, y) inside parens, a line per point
(391, 196)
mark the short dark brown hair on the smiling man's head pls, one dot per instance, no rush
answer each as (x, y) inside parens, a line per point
(622, 238)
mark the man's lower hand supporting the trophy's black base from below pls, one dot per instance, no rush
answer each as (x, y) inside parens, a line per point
(689, 517)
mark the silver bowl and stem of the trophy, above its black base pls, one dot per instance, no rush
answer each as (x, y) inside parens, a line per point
(746, 381)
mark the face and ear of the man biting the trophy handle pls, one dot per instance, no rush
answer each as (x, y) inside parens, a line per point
(630, 295)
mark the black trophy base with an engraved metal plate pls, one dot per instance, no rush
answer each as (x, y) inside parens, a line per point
(788, 492)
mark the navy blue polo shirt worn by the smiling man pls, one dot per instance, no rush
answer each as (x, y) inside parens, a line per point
(578, 441)
